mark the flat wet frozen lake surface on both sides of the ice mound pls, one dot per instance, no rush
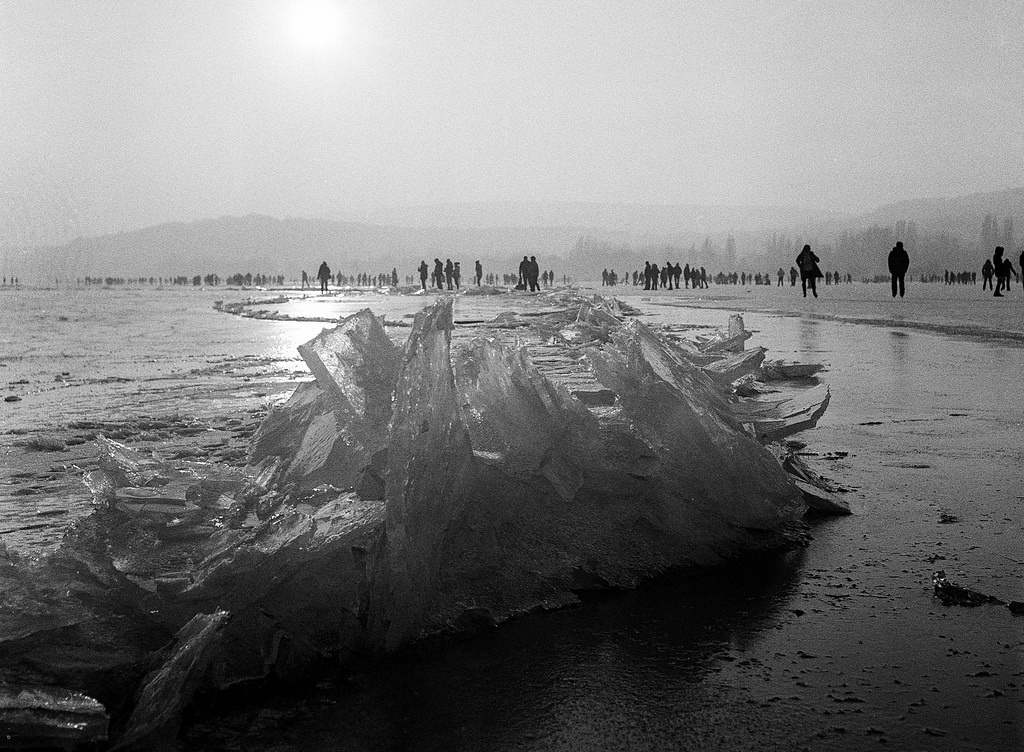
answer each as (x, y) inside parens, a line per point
(838, 647)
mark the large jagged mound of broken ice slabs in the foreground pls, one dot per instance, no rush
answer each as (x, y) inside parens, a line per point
(405, 492)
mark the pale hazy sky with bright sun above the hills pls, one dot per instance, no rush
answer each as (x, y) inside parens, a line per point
(116, 115)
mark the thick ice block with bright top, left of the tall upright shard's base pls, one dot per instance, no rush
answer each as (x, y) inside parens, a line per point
(295, 586)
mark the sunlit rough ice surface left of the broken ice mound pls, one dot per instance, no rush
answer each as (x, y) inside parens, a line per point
(155, 367)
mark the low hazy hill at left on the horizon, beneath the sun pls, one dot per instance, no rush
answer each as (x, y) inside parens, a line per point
(268, 245)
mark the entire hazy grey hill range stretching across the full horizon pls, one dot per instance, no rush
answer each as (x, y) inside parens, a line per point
(575, 238)
